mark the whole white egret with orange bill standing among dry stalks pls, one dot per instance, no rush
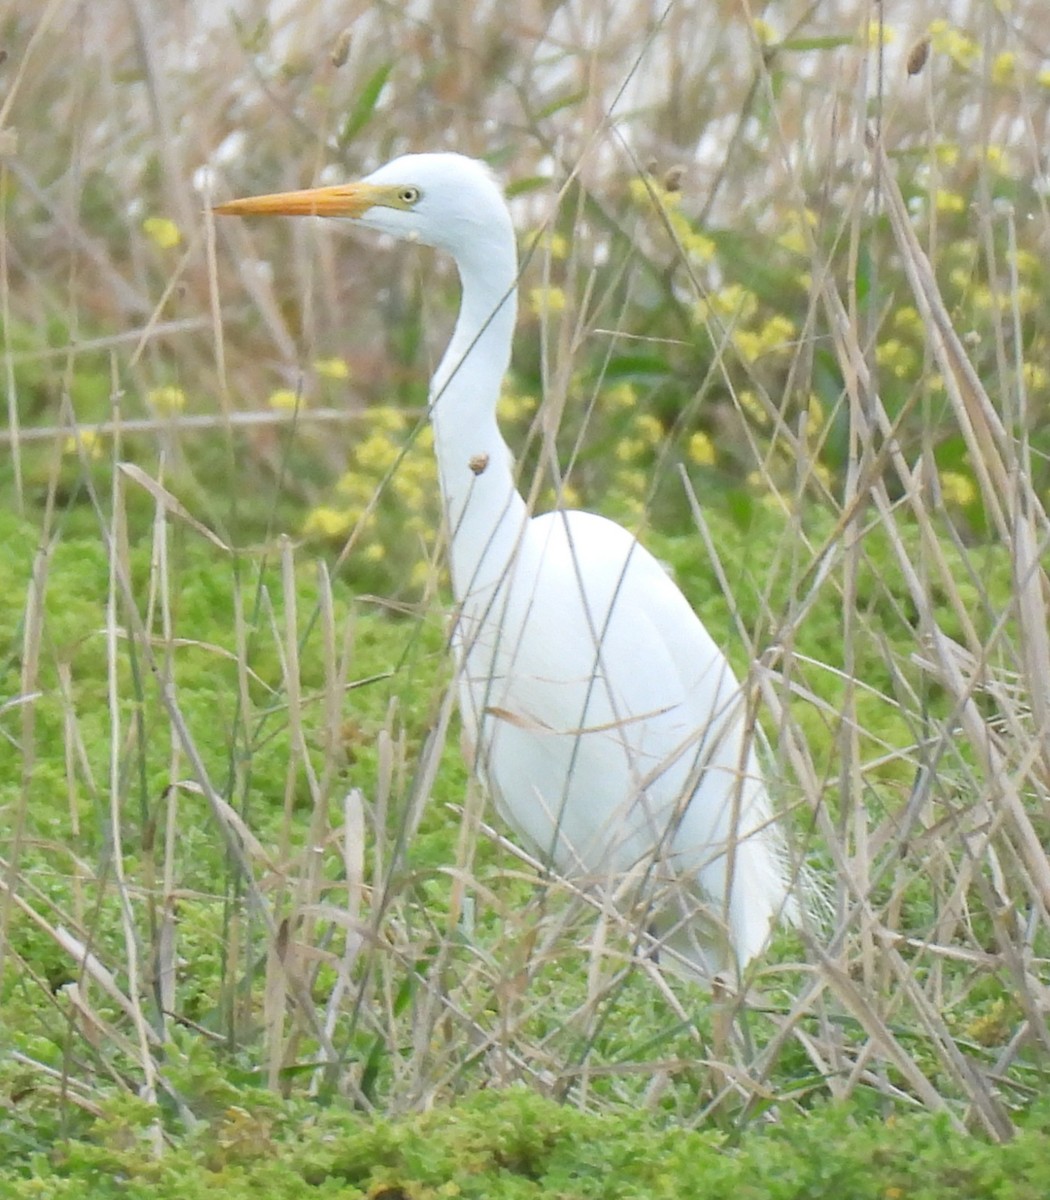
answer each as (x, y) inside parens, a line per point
(605, 721)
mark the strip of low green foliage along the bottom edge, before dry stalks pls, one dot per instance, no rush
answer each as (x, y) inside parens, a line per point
(515, 1145)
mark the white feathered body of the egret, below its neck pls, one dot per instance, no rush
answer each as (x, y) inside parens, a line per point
(611, 729)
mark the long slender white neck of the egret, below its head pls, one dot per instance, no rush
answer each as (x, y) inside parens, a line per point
(484, 509)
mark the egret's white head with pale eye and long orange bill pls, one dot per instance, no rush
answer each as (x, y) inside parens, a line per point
(440, 200)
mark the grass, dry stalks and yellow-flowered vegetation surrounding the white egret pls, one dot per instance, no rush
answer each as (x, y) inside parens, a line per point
(785, 313)
